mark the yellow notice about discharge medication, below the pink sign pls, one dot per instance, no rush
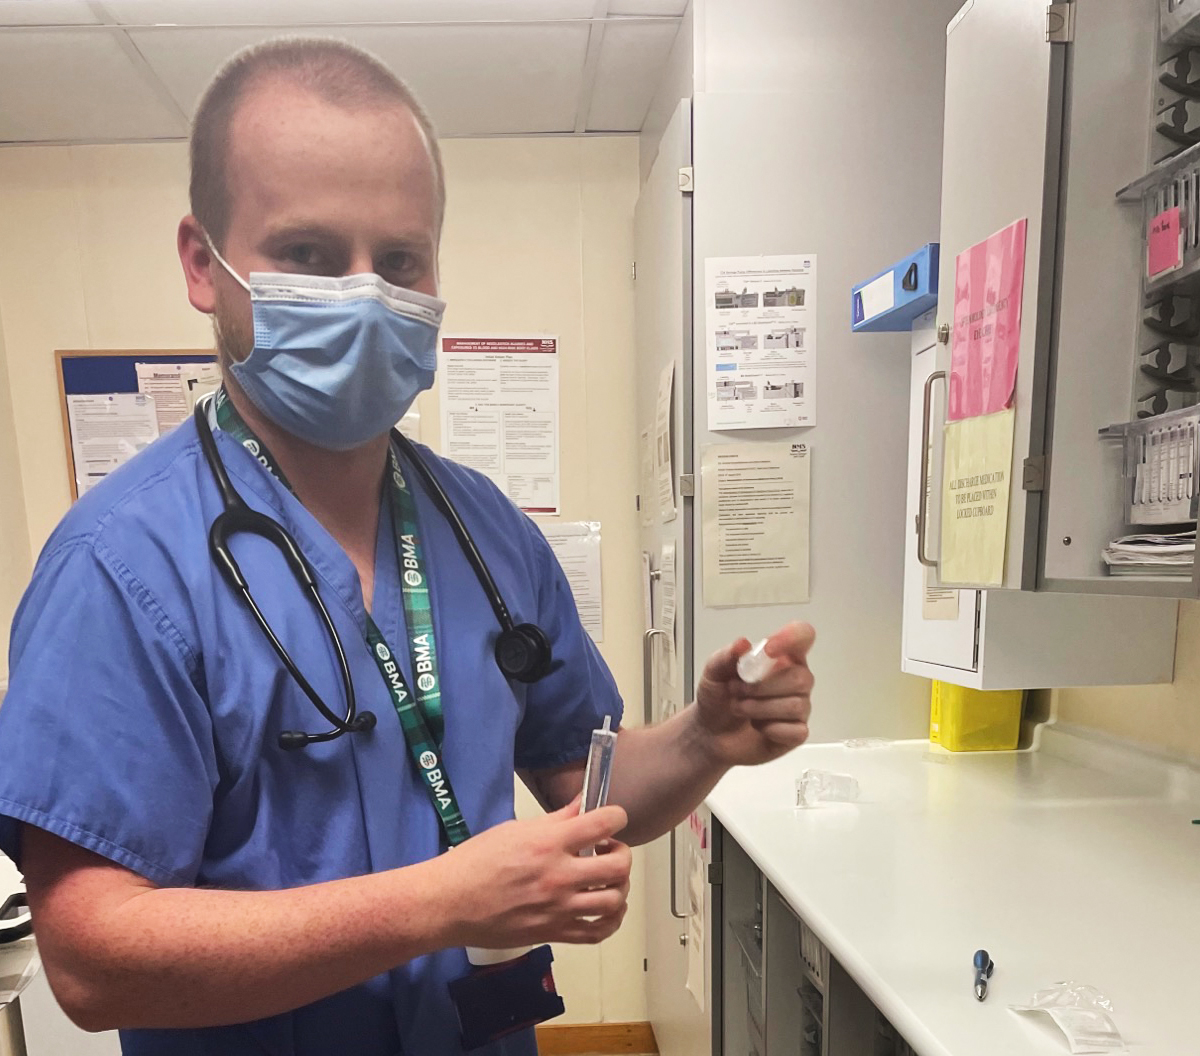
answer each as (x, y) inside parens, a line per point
(975, 499)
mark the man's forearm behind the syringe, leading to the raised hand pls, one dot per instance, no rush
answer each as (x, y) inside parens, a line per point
(661, 775)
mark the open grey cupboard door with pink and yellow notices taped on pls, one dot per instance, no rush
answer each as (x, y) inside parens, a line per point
(1001, 164)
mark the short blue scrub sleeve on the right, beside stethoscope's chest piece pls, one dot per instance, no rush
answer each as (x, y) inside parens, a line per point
(565, 709)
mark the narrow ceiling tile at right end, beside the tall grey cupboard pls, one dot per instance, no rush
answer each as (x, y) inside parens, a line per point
(632, 62)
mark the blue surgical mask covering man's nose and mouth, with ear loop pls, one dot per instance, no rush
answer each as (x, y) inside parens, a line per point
(337, 362)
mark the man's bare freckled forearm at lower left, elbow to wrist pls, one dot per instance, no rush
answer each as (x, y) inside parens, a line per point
(195, 958)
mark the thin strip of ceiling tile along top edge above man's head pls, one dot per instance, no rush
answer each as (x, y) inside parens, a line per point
(299, 13)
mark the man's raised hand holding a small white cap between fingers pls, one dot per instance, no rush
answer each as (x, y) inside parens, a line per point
(746, 724)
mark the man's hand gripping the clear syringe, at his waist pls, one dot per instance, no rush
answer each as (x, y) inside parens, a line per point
(524, 883)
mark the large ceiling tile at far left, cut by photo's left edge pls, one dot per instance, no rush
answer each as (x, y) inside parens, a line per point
(76, 86)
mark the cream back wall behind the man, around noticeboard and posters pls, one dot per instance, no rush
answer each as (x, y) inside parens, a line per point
(538, 238)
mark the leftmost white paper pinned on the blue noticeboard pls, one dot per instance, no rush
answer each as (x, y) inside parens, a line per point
(107, 431)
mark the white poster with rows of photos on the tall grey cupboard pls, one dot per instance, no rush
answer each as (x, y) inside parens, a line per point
(761, 341)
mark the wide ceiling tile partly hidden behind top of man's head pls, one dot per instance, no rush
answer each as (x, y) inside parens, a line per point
(475, 81)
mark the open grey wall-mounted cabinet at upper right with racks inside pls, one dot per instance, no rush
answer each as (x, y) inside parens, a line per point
(1049, 115)
